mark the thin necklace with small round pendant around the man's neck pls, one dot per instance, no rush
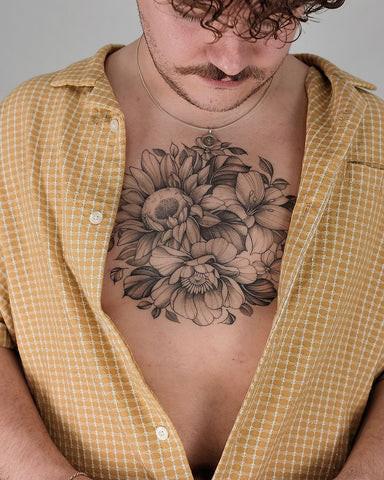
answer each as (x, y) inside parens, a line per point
(209, 139)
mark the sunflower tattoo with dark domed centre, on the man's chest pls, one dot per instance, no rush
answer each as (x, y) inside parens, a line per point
(160, 204)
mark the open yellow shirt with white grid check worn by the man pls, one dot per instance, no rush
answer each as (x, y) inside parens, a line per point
(62, 168)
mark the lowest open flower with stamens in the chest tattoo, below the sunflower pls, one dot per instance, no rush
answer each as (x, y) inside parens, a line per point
(203, 285)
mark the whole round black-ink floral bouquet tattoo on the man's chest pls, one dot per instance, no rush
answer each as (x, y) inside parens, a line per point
(202, 233)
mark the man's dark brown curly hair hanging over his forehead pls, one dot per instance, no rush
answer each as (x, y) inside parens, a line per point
(264, 18)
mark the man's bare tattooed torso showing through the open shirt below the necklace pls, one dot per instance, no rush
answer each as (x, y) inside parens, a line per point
(200, 367)
